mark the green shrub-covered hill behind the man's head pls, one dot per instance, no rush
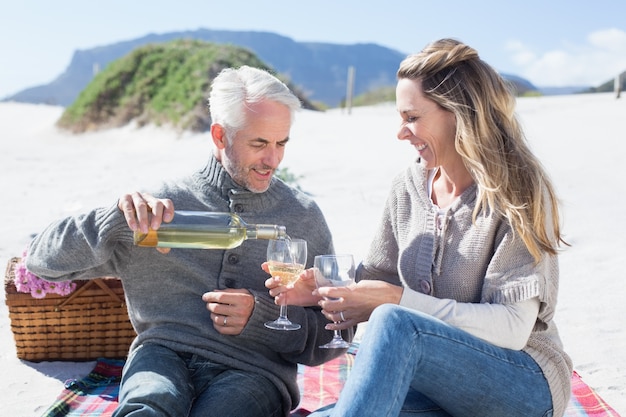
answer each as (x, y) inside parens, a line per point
(160, 84)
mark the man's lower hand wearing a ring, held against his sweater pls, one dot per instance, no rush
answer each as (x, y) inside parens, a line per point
(230, 309)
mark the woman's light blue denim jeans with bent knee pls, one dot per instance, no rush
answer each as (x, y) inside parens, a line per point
(411, 364)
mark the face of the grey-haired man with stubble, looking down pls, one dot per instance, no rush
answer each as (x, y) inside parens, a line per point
(255, 152)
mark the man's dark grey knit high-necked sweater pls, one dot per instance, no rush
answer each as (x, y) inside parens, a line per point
(163, 291)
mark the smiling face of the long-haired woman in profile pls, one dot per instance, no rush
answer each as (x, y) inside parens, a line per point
(429, 128)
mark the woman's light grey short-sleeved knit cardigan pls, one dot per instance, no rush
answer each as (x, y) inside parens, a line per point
(451, 258)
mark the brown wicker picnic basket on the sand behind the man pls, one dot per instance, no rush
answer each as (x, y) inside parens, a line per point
(90, 323)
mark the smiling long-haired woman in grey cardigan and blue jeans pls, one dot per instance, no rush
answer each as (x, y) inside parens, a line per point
(460, 283)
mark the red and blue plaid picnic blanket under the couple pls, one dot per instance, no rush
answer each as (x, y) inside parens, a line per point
(96, 394)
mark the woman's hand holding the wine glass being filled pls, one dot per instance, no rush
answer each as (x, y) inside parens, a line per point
(298, 294)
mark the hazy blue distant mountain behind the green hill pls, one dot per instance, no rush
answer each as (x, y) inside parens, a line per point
(318, 69)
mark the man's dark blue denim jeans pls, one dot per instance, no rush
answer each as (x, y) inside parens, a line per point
(160, 382)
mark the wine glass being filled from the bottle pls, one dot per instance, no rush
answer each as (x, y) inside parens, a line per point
(286, 260)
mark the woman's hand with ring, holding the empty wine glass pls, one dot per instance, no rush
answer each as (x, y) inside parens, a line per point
(348, 306)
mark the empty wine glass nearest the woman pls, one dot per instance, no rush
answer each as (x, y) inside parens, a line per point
(334, 271)
